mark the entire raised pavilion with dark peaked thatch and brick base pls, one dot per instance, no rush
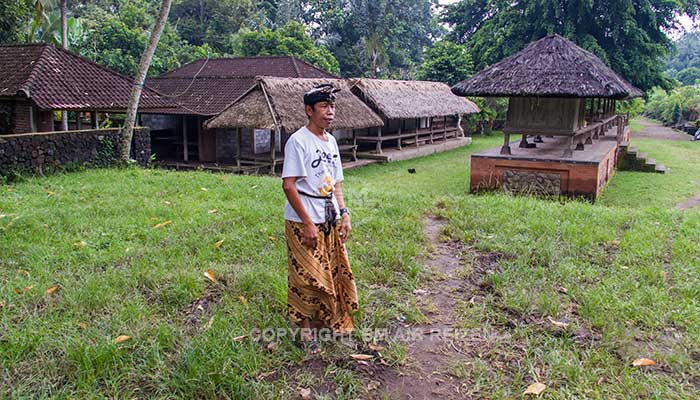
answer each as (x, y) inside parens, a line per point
(562, 101)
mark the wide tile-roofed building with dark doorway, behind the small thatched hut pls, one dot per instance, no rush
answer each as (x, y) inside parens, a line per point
(203, 89)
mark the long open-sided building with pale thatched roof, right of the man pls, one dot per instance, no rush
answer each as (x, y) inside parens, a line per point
(414, 112)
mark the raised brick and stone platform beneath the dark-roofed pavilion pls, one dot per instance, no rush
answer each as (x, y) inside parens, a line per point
(544, 171)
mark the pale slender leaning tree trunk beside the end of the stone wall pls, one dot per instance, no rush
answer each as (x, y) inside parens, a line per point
(146, 57)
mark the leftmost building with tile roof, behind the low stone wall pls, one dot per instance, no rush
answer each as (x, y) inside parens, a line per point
(39, 79)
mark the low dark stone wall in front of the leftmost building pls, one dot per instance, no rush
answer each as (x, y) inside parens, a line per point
(39, 152)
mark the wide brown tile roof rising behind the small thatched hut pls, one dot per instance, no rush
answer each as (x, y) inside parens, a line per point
(207, 87)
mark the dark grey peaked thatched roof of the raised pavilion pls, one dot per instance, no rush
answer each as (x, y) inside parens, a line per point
(549, 67)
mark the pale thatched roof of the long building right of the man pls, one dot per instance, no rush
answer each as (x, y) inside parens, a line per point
(410, 99)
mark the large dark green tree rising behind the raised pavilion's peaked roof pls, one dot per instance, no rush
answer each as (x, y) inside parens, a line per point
(630, 36)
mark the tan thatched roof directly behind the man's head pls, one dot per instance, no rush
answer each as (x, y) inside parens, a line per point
(285, 95)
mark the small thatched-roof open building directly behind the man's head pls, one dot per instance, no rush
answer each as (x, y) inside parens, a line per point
(272, 110)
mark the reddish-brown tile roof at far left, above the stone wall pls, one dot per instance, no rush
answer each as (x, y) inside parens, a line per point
(58, 79)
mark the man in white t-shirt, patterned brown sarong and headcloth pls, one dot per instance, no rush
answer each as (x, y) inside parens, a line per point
(321, 289)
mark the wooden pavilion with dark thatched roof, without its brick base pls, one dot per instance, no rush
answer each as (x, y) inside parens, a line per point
(555, 88)
